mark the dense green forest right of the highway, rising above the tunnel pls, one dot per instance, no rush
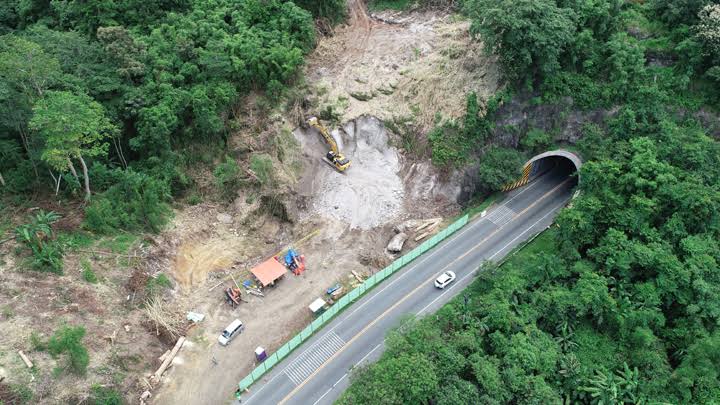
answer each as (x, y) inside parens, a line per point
(620, 302)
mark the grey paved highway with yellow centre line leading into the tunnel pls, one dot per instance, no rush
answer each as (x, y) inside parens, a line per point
(317, 371)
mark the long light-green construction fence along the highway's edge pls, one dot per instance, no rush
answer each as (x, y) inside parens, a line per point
(347, 299)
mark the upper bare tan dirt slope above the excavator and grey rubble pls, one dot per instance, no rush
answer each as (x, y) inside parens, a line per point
(419, 65)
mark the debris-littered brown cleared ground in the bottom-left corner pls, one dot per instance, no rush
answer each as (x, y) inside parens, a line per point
(120, 346)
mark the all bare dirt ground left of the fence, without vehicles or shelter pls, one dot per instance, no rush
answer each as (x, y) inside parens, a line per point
(370, 72)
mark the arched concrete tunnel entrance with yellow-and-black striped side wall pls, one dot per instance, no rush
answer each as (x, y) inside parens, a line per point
(557, 163)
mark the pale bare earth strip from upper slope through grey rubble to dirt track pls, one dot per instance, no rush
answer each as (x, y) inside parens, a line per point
(417, 66)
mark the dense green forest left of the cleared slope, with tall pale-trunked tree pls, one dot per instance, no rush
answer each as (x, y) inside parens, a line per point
(108, 101)
